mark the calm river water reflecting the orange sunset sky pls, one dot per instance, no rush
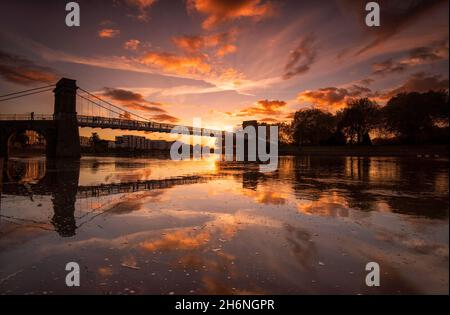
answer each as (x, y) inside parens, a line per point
(155, 226)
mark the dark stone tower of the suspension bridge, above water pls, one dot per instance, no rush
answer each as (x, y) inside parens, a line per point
(67, 144)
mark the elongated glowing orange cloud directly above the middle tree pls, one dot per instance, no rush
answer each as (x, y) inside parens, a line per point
(334, 98)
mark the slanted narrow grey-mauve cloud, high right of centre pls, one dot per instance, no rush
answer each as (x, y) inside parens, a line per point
(301, 58)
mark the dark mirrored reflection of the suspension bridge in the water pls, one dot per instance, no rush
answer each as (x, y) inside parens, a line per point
(61, 183)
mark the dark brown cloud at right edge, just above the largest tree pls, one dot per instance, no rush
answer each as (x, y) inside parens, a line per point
(419, 82)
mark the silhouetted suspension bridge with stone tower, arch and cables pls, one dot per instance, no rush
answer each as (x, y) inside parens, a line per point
(60, 130)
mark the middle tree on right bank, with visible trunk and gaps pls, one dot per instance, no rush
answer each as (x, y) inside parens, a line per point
(358, 119)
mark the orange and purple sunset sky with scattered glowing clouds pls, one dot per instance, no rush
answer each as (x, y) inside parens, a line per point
(224, 61)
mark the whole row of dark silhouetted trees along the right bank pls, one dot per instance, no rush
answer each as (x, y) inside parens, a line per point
(407, 118)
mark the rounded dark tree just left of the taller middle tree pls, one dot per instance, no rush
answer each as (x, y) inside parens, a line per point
(313, 127)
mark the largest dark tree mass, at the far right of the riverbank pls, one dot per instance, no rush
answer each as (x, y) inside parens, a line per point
(417, 117)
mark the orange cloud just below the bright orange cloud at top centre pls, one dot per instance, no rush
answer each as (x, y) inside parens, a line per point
(223, 42)
